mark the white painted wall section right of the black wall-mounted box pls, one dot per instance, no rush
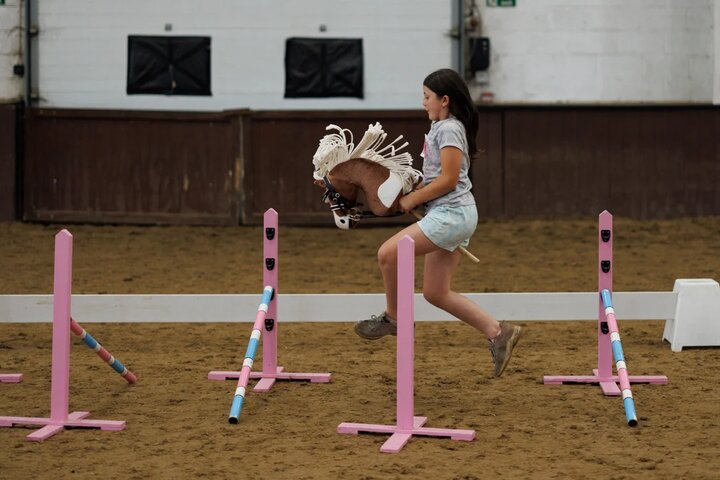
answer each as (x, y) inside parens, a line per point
(602, 51)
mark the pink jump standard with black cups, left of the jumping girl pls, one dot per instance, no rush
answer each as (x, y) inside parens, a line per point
(271, 371)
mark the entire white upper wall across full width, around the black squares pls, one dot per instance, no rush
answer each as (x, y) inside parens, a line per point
(542, 51)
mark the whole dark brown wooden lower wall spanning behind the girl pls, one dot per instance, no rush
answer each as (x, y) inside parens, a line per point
(228, 168)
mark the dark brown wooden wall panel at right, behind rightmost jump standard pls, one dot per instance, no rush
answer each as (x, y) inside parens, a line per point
(636, 162)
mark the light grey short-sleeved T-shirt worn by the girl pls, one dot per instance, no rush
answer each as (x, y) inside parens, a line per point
(447, 133)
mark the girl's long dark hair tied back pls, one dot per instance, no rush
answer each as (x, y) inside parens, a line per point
(447, 82)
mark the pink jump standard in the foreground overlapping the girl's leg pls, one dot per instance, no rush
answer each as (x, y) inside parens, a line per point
(407, 423)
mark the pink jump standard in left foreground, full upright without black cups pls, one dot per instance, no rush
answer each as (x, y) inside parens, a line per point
(60, 383)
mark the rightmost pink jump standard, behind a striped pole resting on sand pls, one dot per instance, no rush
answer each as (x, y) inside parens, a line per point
(603, 375)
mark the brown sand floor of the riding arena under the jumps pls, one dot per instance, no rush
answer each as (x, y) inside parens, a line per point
(176, 419)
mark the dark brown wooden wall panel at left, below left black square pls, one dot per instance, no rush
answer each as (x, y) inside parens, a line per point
(132, 167)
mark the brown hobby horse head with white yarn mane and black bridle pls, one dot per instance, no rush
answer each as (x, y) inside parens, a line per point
(381, 174)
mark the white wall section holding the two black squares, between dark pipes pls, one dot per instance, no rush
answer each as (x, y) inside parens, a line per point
(83, 49)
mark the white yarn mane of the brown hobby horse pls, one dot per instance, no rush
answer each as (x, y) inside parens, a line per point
(336, 148)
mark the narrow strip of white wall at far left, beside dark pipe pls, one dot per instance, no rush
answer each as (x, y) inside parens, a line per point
(10, 51)
